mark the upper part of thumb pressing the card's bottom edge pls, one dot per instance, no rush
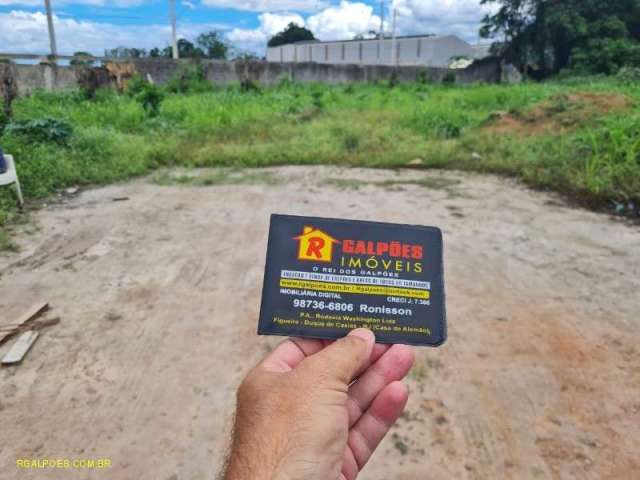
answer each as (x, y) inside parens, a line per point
(346, 357)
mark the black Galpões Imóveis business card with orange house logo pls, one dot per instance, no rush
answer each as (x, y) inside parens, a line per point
(325, 277)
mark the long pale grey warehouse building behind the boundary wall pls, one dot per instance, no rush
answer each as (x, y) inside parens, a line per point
(431, 51)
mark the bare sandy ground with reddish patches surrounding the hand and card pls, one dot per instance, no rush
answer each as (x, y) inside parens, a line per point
(159, 297)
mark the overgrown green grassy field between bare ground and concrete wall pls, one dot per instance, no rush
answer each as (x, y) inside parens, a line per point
(580, 137)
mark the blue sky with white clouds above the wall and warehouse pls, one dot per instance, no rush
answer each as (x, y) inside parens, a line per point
(96, 25)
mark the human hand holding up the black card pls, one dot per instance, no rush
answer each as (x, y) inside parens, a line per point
(299, 418)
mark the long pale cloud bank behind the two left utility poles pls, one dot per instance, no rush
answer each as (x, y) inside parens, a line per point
(26, 32)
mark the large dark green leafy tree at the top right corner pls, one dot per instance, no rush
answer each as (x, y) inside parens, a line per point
(588, 35)
